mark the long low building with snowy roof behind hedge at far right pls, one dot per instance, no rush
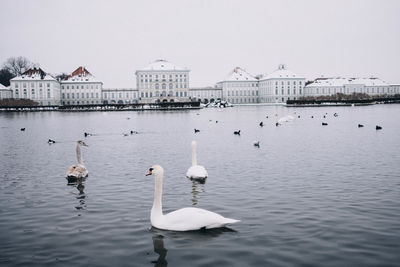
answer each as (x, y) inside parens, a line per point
(330, 86)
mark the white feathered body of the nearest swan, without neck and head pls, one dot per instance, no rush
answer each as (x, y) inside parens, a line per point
(188, 219)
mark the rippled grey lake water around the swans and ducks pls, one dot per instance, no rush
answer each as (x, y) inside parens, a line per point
(311, 195)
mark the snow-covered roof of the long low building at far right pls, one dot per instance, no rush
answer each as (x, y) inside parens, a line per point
(340, 81)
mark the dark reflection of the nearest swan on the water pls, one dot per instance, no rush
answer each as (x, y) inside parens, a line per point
(190, 238)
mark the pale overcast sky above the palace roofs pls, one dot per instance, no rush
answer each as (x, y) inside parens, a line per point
(113, 39)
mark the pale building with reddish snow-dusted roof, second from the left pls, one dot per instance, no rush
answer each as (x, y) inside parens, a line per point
(81, 88)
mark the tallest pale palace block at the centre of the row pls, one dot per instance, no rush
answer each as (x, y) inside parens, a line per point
(162, 81)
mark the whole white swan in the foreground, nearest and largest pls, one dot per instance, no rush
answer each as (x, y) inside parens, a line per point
(185, 219)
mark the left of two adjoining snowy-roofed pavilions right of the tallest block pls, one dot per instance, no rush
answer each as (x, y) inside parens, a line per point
(239, 87)
